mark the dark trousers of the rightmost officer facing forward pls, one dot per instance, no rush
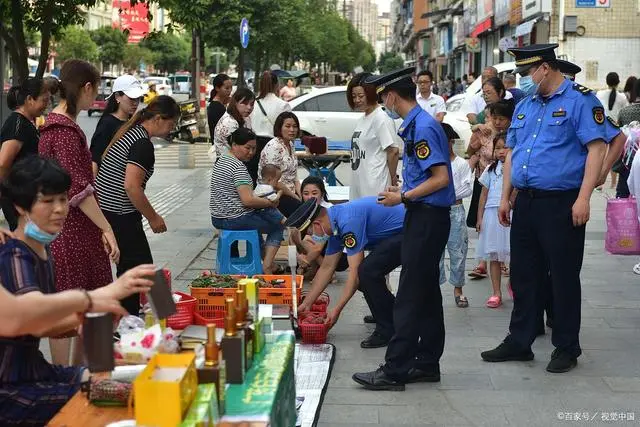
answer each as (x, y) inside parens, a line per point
(545, 244)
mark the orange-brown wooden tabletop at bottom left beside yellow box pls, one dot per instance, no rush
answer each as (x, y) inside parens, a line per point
(79, 412)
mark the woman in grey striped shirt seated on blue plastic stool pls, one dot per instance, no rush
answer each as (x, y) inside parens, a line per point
(233, 205)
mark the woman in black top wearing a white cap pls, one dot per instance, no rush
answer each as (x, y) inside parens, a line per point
(121, 105)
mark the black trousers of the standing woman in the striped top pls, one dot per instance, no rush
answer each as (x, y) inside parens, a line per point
(134, 250)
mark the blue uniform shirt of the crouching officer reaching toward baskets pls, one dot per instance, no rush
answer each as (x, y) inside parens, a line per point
(362, 223)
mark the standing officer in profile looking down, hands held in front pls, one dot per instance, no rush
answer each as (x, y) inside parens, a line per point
(415, 349)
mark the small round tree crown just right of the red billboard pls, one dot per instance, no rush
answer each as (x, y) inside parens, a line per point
(170, 51)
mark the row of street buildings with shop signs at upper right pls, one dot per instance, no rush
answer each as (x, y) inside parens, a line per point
(455, 37)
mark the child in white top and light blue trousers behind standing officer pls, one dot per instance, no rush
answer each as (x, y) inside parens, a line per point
(458, 242)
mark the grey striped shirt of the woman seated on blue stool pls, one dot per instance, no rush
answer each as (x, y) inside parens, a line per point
(227, 175)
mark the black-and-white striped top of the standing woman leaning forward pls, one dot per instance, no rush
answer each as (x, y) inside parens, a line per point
(134, 147)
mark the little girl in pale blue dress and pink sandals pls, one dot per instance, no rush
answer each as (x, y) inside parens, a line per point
(493, 244)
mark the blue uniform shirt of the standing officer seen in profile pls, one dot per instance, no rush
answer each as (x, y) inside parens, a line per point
(425, 145)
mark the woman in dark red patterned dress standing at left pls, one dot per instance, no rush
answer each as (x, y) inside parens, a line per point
(86, 243)
